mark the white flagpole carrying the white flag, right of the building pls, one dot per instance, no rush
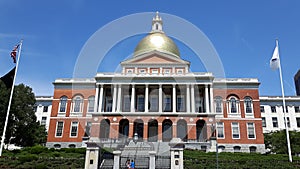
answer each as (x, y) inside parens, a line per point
(284, 110)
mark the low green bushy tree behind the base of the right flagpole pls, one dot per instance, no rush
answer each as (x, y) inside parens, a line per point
(276, 142)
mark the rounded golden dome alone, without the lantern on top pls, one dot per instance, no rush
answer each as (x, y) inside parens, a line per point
(157, 41)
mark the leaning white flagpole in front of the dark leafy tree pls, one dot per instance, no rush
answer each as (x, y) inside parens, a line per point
(10, 98)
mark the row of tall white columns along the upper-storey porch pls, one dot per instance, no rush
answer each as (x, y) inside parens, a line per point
(182, 97)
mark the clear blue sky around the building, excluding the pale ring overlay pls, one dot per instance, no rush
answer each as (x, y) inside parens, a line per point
(242, 32)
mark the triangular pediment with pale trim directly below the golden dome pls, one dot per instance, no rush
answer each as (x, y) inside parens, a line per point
(155, 58)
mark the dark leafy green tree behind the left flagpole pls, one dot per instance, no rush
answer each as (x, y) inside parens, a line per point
(23, 128)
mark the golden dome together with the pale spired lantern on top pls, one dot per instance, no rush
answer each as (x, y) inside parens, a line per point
(157, 40)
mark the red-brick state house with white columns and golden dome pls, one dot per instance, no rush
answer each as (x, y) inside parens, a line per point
(156, 97)
